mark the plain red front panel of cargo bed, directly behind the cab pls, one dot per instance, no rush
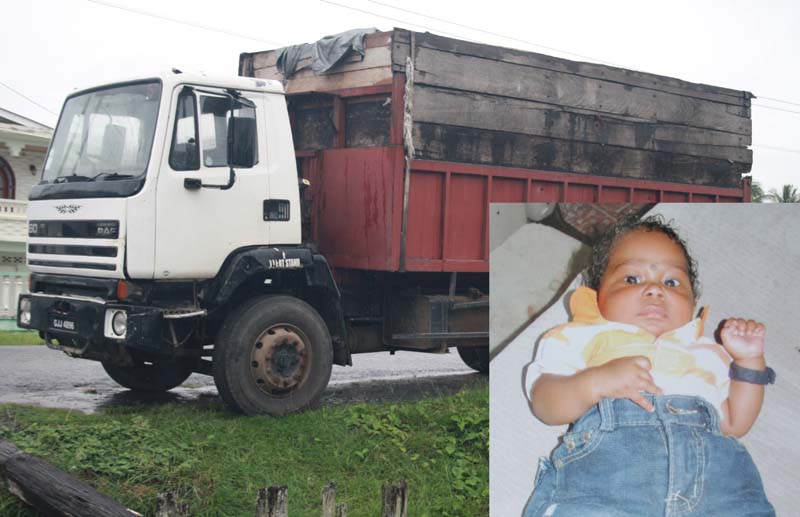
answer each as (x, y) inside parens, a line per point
(357, 198)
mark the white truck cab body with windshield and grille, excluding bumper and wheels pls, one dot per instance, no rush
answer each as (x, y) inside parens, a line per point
(128, 188)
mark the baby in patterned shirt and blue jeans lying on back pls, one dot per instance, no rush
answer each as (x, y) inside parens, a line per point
(654, 406)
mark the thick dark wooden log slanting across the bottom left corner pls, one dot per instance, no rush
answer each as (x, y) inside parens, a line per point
(51, 491)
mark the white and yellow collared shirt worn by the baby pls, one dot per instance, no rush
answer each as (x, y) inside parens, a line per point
(684, 362)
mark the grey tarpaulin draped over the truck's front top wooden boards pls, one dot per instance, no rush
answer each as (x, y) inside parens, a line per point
(324, 54)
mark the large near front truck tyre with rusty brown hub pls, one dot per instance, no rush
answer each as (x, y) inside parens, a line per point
(272, 356)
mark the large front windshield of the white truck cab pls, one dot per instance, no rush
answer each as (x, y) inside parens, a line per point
(104, 134)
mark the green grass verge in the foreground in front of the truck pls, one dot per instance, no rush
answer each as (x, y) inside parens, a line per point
(216, 461)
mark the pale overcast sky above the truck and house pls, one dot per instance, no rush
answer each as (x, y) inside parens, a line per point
(49, 48)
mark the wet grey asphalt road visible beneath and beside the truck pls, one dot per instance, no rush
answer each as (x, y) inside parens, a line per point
(36, 375)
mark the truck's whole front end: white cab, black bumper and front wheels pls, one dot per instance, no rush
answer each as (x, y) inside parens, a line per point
(165, 239)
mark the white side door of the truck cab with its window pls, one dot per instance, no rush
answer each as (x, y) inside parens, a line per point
(198, 227)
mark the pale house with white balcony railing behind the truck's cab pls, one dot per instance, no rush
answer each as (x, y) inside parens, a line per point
(23, 145)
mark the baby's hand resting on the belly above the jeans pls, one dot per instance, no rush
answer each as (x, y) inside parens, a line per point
(624, 378)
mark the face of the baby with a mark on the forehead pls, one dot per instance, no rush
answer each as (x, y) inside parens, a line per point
(647, 283)
